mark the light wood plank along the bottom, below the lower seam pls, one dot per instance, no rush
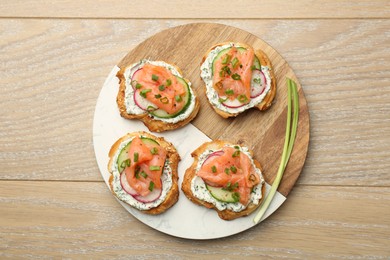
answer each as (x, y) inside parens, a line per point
(78, 219)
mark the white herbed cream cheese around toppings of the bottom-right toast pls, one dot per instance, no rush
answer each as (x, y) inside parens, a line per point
(199, 190)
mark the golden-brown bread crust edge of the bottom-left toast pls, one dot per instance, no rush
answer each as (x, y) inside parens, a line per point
(172, 155)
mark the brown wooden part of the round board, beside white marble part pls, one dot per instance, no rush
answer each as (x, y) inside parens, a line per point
(261, 131)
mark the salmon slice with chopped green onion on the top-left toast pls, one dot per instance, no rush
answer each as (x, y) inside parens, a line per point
(159, 86)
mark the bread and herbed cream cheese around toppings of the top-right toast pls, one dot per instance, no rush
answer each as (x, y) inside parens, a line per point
(262, 104)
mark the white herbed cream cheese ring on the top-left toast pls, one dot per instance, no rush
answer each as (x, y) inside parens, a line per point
(133, 109)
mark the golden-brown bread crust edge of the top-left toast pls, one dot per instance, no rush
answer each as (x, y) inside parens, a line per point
(152, 124)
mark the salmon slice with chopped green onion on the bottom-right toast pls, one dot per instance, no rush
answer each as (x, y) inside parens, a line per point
(232, 169)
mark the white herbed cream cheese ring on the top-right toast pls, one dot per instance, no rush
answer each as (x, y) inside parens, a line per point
(212, 95)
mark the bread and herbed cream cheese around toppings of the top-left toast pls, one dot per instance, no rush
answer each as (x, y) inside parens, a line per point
(129, 110)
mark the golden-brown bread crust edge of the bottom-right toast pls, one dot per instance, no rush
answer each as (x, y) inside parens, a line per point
(191, 173)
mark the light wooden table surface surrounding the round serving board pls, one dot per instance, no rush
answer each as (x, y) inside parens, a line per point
(54, 58)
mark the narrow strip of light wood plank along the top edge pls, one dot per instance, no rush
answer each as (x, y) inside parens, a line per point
(199, 9)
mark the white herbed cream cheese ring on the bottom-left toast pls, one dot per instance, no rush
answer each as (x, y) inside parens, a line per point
(166, 179)
